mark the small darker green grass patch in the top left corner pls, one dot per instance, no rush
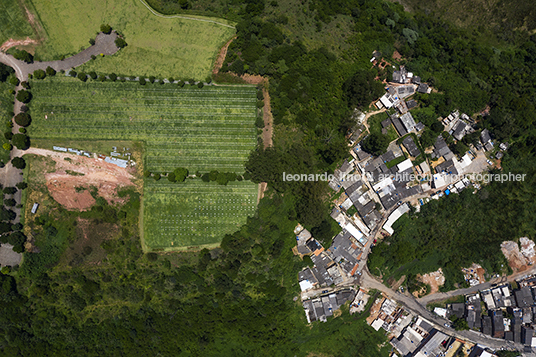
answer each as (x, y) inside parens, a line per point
(13, 22)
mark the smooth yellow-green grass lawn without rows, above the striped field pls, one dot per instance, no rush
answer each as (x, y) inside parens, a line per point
(163, 47)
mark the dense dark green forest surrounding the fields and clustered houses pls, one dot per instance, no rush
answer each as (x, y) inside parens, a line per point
(238, 299)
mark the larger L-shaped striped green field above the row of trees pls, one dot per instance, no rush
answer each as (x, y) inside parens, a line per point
(200, 129)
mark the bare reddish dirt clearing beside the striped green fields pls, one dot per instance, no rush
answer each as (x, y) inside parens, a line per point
(63, 185)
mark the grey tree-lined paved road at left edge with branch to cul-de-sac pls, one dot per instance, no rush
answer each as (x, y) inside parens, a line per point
(10, 176)
